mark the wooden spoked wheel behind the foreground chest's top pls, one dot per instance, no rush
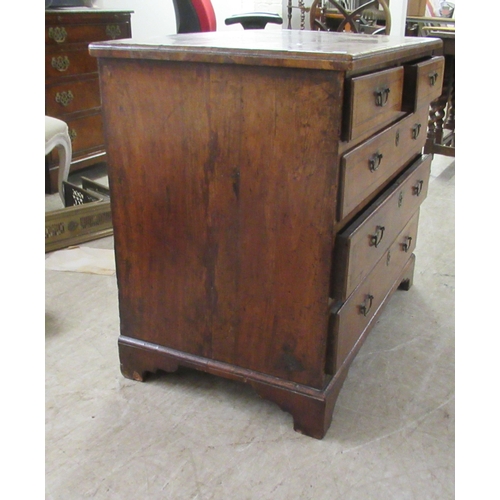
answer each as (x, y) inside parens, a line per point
(317, 16)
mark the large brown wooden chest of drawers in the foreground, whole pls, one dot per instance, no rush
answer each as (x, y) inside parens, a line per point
(265, 192)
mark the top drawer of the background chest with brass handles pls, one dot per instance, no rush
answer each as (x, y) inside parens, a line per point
(77, 33)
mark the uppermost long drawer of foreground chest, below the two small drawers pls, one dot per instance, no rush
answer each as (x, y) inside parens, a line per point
(370, 165)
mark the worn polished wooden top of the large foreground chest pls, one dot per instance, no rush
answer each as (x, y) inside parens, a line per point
(285, 48)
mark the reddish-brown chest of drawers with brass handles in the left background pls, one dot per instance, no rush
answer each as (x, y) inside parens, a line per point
(71, 80)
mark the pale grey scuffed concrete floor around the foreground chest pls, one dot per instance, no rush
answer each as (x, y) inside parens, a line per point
(193, 436)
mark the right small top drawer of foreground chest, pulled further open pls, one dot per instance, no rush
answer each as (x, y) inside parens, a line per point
(423, 82)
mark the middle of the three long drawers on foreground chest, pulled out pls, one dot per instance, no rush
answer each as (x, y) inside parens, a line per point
(361, 245)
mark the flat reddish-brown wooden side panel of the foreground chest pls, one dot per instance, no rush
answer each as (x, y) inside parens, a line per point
(222, 238)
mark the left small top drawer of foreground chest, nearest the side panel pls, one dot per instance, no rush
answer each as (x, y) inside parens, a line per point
(375, 101)
